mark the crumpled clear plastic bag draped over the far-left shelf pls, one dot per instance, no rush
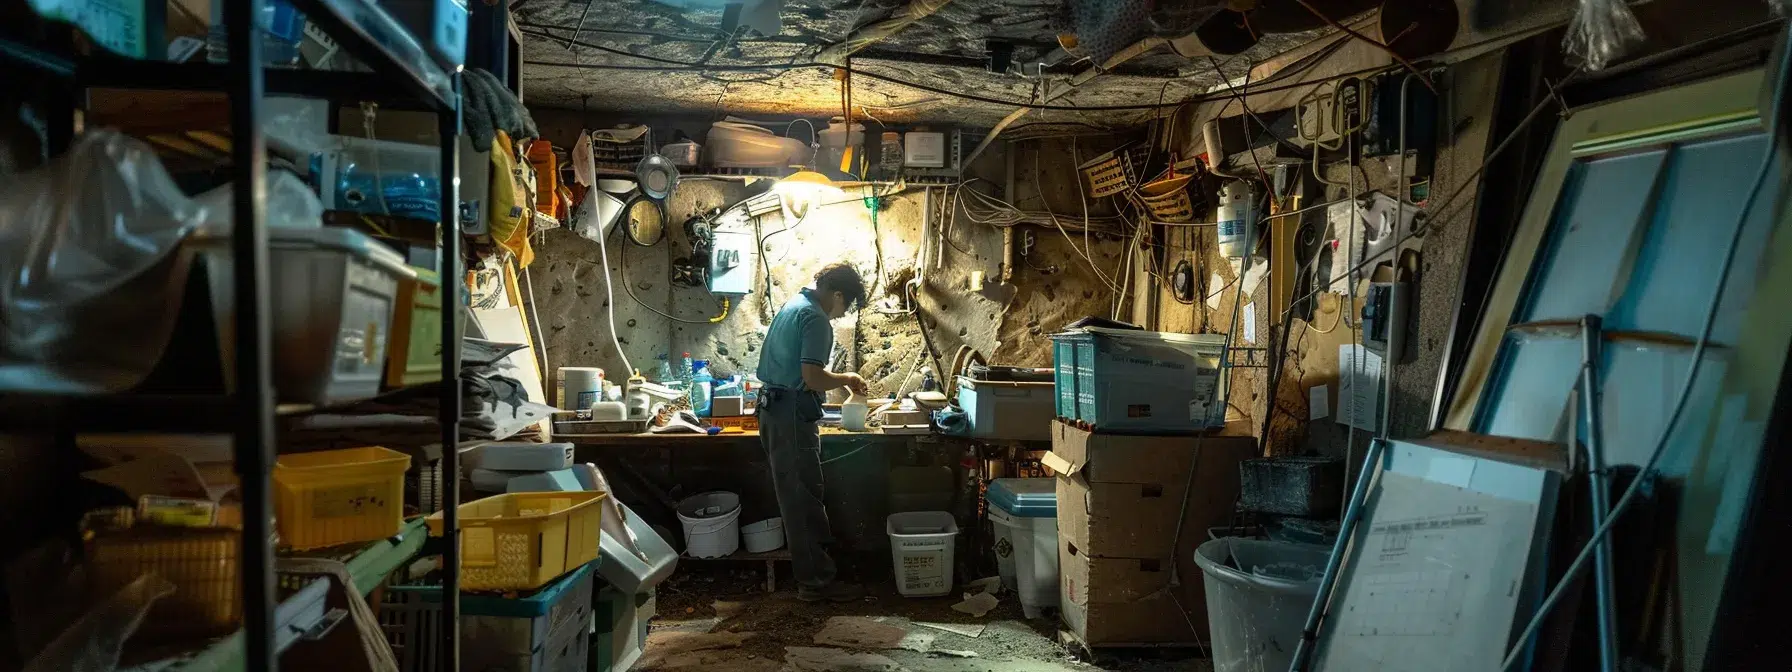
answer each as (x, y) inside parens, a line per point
(90, 271)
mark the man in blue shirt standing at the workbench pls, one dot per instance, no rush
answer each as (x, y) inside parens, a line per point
(795, 370)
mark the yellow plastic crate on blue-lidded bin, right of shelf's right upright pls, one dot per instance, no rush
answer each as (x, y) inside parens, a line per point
(524, 540)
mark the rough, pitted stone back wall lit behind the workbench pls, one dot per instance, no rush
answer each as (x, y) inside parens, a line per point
(1006, 323)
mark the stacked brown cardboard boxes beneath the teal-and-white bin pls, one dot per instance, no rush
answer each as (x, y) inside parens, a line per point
(1126, 574)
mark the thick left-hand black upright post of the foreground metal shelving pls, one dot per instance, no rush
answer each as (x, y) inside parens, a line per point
(255, 395)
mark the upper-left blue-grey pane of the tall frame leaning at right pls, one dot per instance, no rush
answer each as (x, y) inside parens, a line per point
(1594, 227)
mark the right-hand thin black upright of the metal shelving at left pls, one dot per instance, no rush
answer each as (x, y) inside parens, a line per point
(449, 132)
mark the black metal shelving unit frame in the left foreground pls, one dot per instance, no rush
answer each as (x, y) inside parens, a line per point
(250, 413)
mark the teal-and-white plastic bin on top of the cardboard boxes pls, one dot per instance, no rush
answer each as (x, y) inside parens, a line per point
(1141, 381)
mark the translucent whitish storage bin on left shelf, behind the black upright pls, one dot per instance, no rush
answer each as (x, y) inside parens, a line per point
(334, 293)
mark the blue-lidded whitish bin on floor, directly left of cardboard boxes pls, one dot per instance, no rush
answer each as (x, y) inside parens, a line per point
(1024, 513)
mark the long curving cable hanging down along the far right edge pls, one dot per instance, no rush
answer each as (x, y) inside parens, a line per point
(1775, 110)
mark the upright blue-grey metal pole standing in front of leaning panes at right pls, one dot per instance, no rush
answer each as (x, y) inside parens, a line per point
(1599, 481)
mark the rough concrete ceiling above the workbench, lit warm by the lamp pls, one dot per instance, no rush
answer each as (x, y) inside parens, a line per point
(947, 51)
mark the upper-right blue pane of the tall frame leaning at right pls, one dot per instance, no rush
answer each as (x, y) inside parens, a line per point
(1676, 268)
